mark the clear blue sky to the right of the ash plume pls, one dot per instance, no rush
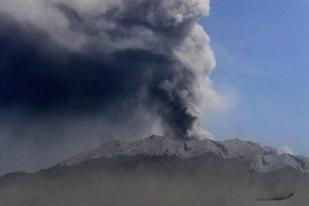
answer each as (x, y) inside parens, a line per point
(262, 52)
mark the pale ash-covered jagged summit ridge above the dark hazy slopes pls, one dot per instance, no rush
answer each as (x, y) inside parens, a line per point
(261, 159)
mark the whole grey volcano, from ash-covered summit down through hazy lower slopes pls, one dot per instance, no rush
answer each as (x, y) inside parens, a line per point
(163, 171)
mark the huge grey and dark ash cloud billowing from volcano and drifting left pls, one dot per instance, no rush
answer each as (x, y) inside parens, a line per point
(74, 71)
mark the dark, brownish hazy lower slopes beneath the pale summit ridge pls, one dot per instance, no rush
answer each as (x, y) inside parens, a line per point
(152, 181)
